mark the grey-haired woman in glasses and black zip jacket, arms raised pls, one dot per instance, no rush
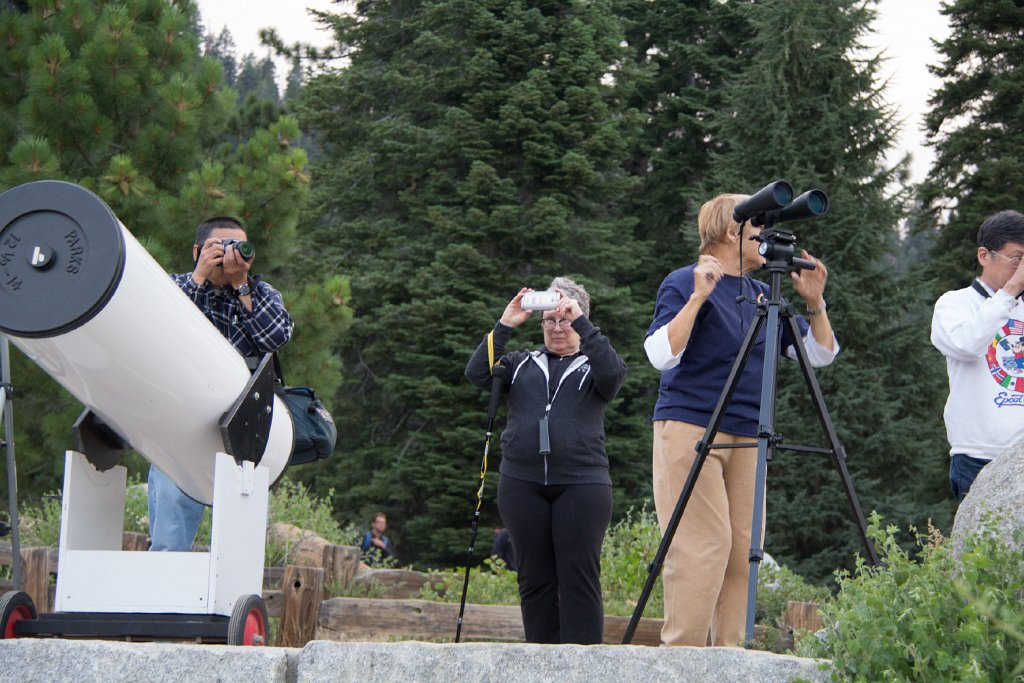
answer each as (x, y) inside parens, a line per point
(556, 494)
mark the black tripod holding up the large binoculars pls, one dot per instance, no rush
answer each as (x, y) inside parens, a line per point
(777, 246)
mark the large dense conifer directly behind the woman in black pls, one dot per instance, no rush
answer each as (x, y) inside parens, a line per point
(471, 148)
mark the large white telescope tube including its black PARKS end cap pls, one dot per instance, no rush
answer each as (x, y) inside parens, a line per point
(87, 303)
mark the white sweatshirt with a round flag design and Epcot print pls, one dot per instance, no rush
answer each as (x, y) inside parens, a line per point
(984, 343)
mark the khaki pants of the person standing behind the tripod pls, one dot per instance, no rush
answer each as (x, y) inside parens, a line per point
(708, 564)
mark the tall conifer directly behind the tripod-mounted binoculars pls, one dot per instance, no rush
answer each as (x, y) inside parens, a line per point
(809, 110)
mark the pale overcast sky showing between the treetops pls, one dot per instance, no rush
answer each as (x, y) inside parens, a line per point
(905, 30)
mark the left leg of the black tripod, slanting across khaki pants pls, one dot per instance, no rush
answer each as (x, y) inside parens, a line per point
(713, 426)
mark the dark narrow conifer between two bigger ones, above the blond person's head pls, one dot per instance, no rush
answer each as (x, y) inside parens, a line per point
(682, 55)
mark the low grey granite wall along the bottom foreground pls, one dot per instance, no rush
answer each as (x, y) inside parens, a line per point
(86, 661)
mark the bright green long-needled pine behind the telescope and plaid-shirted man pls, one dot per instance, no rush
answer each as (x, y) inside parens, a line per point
(115, 97)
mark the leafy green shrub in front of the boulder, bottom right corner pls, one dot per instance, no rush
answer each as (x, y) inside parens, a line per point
(933, 620)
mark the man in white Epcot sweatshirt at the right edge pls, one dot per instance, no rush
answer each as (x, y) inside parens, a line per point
(980, 330)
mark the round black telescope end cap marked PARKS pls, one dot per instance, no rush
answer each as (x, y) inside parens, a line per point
(62, 258)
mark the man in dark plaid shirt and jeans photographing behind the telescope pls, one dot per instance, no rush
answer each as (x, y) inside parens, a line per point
(251, 316)
